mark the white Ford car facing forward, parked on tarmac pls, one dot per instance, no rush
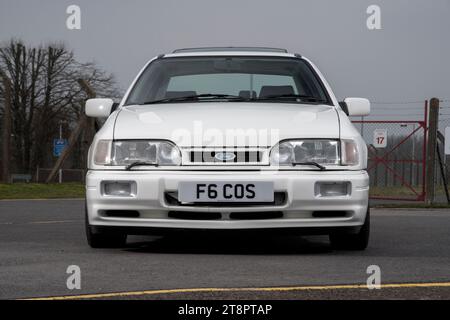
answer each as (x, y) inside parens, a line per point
(228, 139)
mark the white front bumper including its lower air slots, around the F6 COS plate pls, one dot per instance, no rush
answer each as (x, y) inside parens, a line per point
(298, 208)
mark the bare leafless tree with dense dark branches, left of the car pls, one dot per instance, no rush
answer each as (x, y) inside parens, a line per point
(45, 91)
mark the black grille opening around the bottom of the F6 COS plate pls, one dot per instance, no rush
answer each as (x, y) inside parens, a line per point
(280, 198)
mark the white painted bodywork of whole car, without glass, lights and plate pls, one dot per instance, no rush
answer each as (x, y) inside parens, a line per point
(291, 121)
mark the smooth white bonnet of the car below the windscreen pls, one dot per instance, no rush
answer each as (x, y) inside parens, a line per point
(162, 121)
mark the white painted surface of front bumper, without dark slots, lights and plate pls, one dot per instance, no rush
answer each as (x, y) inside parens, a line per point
(298, 184)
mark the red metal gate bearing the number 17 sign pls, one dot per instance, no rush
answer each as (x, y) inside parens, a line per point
(397, 171)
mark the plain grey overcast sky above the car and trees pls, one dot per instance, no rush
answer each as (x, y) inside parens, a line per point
(396, 67)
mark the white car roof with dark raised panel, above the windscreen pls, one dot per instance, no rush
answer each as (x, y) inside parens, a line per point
(231, 51)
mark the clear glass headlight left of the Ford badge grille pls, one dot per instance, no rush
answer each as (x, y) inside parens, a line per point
(122, 153)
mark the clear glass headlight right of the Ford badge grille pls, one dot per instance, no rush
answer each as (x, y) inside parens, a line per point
(298, 151)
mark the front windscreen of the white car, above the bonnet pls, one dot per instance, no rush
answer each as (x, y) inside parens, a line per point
(250, 78)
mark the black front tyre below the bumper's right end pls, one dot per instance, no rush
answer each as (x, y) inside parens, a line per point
(358, 241)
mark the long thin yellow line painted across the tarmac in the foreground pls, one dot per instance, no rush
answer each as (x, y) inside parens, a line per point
(262, 289)
